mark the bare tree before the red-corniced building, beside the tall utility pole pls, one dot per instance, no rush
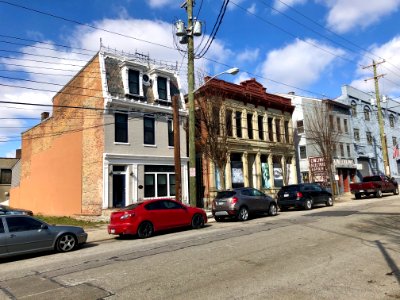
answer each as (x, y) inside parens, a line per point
(213, 131)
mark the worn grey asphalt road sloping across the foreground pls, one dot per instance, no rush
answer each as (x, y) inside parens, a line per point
(349, 251)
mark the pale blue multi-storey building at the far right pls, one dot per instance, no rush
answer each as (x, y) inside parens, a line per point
(366, 137)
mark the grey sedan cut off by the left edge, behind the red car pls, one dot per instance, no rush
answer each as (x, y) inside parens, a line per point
(21, 234)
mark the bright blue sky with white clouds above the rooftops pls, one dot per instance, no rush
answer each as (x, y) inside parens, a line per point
(309, 47)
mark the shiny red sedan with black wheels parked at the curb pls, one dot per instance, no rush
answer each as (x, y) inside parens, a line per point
(144, 218)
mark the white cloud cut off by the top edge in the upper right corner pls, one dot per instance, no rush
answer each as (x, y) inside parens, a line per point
(345, 15)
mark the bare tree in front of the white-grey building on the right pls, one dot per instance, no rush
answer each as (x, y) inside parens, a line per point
(321, 133)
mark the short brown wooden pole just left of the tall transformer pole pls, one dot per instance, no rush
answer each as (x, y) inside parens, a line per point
(177, 149)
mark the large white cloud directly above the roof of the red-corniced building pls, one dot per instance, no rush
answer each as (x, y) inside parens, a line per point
(298, 64)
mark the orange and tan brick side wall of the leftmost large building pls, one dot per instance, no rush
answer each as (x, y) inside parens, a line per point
(61, 170)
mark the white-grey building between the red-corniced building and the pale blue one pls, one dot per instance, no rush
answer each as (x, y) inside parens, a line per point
(344, 164)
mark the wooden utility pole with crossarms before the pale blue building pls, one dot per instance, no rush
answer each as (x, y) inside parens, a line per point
(380, 119)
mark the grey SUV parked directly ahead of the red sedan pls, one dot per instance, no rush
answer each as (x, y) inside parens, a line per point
(241, 202)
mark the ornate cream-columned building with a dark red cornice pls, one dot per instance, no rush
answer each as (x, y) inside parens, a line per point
(260, 138)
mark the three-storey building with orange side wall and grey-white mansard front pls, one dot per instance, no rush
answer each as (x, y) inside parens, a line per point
(109, 141)
